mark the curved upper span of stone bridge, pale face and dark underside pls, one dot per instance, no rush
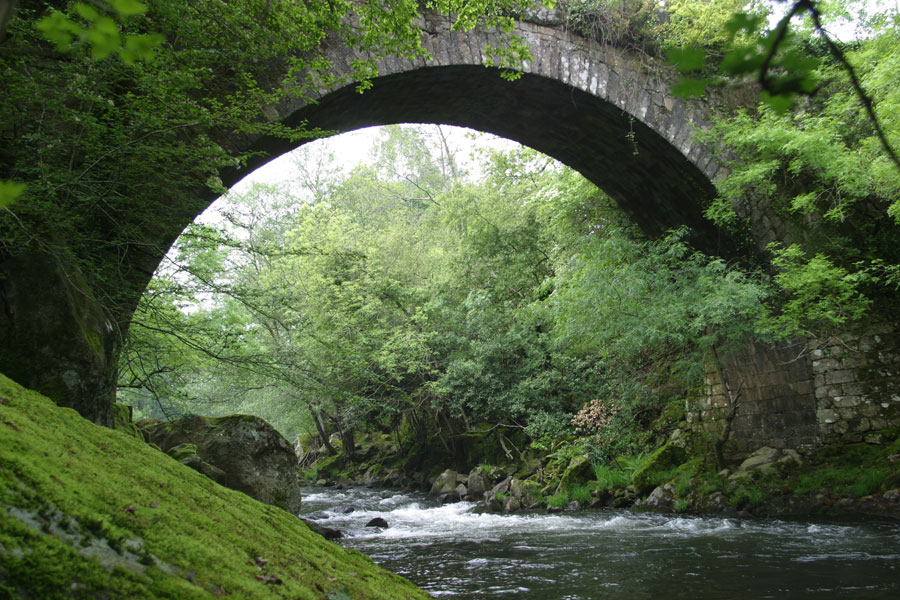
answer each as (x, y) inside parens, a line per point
(605, 112)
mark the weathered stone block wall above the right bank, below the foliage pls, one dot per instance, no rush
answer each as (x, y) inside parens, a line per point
(806, 394)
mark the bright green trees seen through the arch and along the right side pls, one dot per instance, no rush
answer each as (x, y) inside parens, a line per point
(409, 296)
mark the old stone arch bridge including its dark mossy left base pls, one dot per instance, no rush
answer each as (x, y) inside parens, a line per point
(601, 110)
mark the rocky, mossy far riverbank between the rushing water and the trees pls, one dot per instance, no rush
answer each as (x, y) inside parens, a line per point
(836, 479)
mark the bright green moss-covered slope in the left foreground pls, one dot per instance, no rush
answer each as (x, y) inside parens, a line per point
(88, 512)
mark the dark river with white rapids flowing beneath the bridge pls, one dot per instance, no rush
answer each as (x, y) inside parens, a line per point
(453, 551)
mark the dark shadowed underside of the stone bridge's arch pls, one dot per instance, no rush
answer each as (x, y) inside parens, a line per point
(649, 178)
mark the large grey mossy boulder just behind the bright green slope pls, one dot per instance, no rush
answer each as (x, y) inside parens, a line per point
(241, 452)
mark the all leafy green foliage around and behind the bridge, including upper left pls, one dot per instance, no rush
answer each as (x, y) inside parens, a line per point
(408, 296)
